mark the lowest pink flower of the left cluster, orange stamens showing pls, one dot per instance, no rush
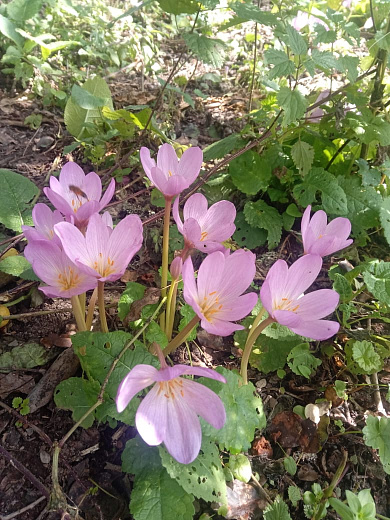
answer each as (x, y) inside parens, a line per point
(50, 263)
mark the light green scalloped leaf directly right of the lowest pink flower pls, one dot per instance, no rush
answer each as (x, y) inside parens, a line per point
(244, 412)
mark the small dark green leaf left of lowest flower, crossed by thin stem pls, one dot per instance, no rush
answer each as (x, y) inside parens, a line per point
(78, 395)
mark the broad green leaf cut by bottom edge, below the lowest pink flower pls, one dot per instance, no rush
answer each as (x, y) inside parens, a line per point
(157, 496)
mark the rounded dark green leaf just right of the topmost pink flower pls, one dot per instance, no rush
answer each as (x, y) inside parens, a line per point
(250, 173)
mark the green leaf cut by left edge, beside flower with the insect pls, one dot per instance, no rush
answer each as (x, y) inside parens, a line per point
(16, 192)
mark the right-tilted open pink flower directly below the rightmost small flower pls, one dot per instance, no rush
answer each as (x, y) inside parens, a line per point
(282, 296)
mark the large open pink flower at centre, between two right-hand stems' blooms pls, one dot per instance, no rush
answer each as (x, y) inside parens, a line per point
(217, 297)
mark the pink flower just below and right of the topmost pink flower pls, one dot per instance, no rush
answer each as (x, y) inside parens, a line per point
(204, 228)
